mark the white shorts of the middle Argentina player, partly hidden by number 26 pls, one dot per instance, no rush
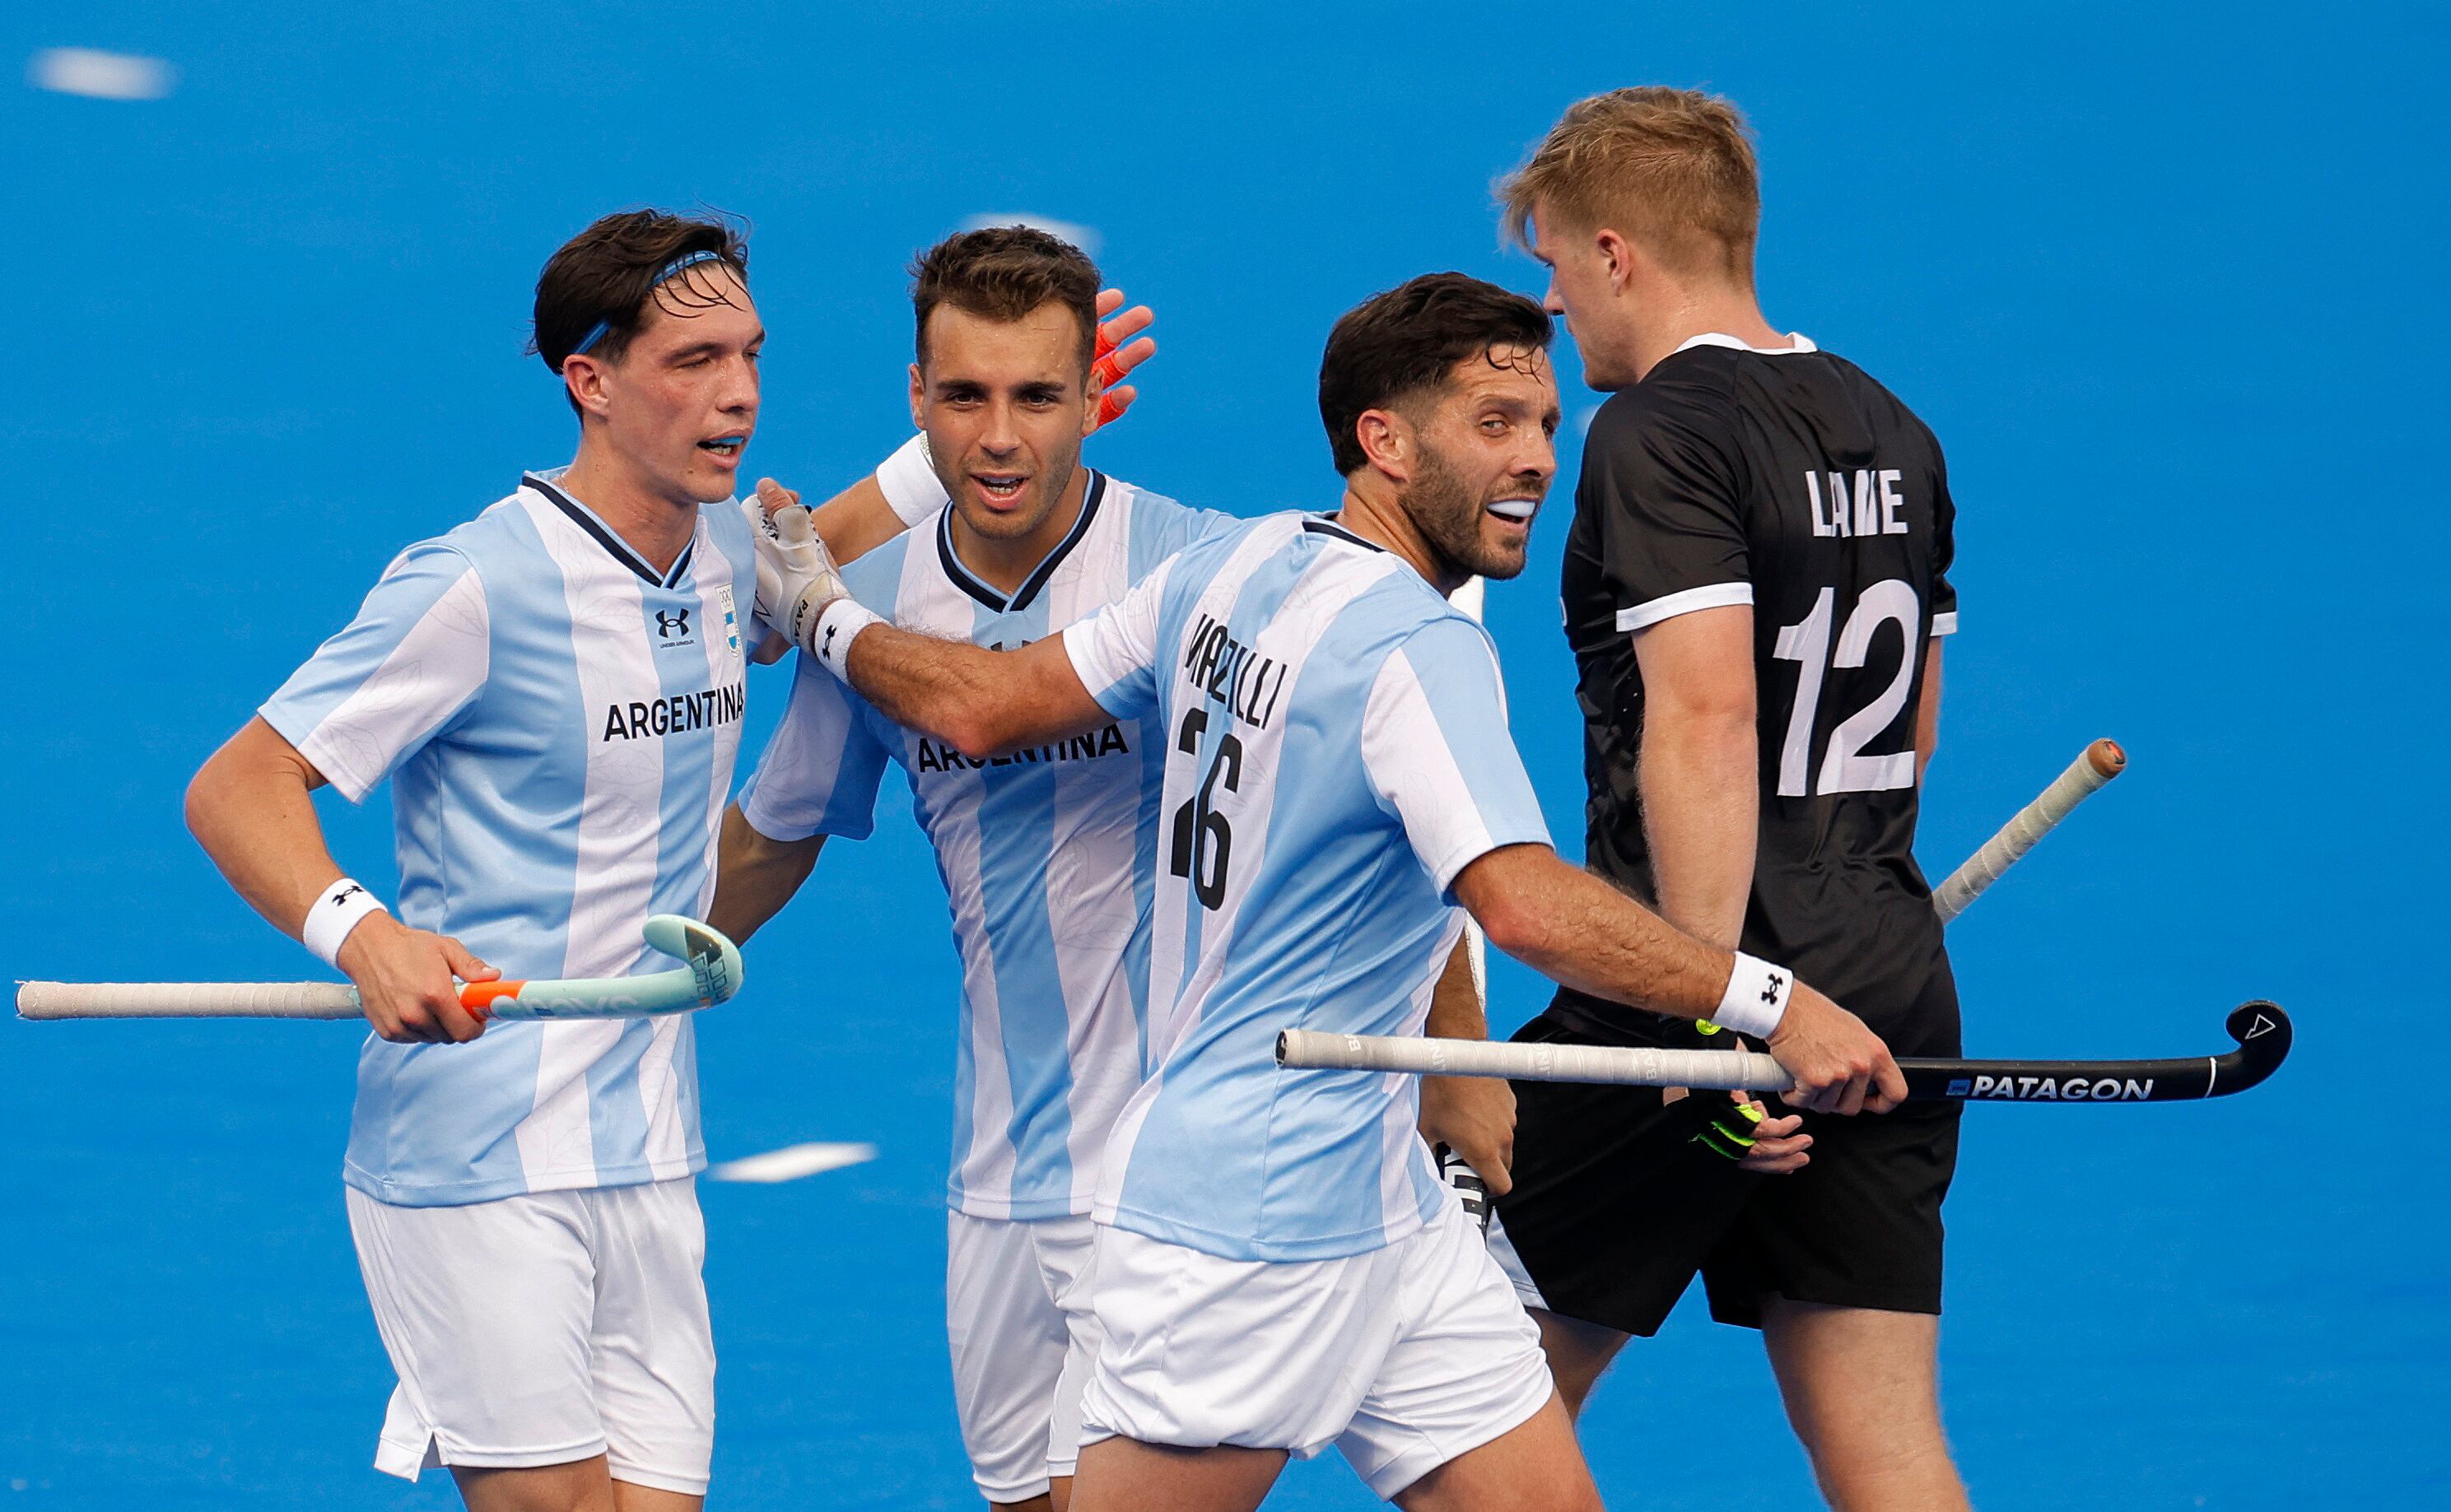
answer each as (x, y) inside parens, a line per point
(1016, 1312)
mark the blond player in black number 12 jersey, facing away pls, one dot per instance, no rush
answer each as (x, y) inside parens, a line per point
(1756, 594)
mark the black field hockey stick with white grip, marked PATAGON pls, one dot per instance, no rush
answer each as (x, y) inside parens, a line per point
(2259, 1028)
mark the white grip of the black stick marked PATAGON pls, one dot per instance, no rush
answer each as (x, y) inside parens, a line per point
(1310, 1050)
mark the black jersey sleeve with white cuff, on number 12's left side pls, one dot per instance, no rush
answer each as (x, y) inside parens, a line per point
(1665, 491)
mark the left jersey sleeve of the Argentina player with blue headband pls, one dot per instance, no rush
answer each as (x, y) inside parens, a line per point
(415, 656)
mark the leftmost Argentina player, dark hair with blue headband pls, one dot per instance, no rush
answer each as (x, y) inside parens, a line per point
(555, 695)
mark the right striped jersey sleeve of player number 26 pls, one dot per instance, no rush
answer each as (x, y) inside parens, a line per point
(1438, 751)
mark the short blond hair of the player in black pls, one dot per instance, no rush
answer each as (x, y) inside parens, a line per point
(1670, 168)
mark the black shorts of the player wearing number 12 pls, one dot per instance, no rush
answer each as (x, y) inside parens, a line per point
(1616, 1207)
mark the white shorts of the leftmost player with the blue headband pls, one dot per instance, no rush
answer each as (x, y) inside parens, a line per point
(545, 1329)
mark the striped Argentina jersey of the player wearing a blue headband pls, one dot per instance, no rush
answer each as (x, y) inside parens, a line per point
(560, 727)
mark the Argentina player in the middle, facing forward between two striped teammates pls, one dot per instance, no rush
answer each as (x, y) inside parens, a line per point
(1045, 854)
